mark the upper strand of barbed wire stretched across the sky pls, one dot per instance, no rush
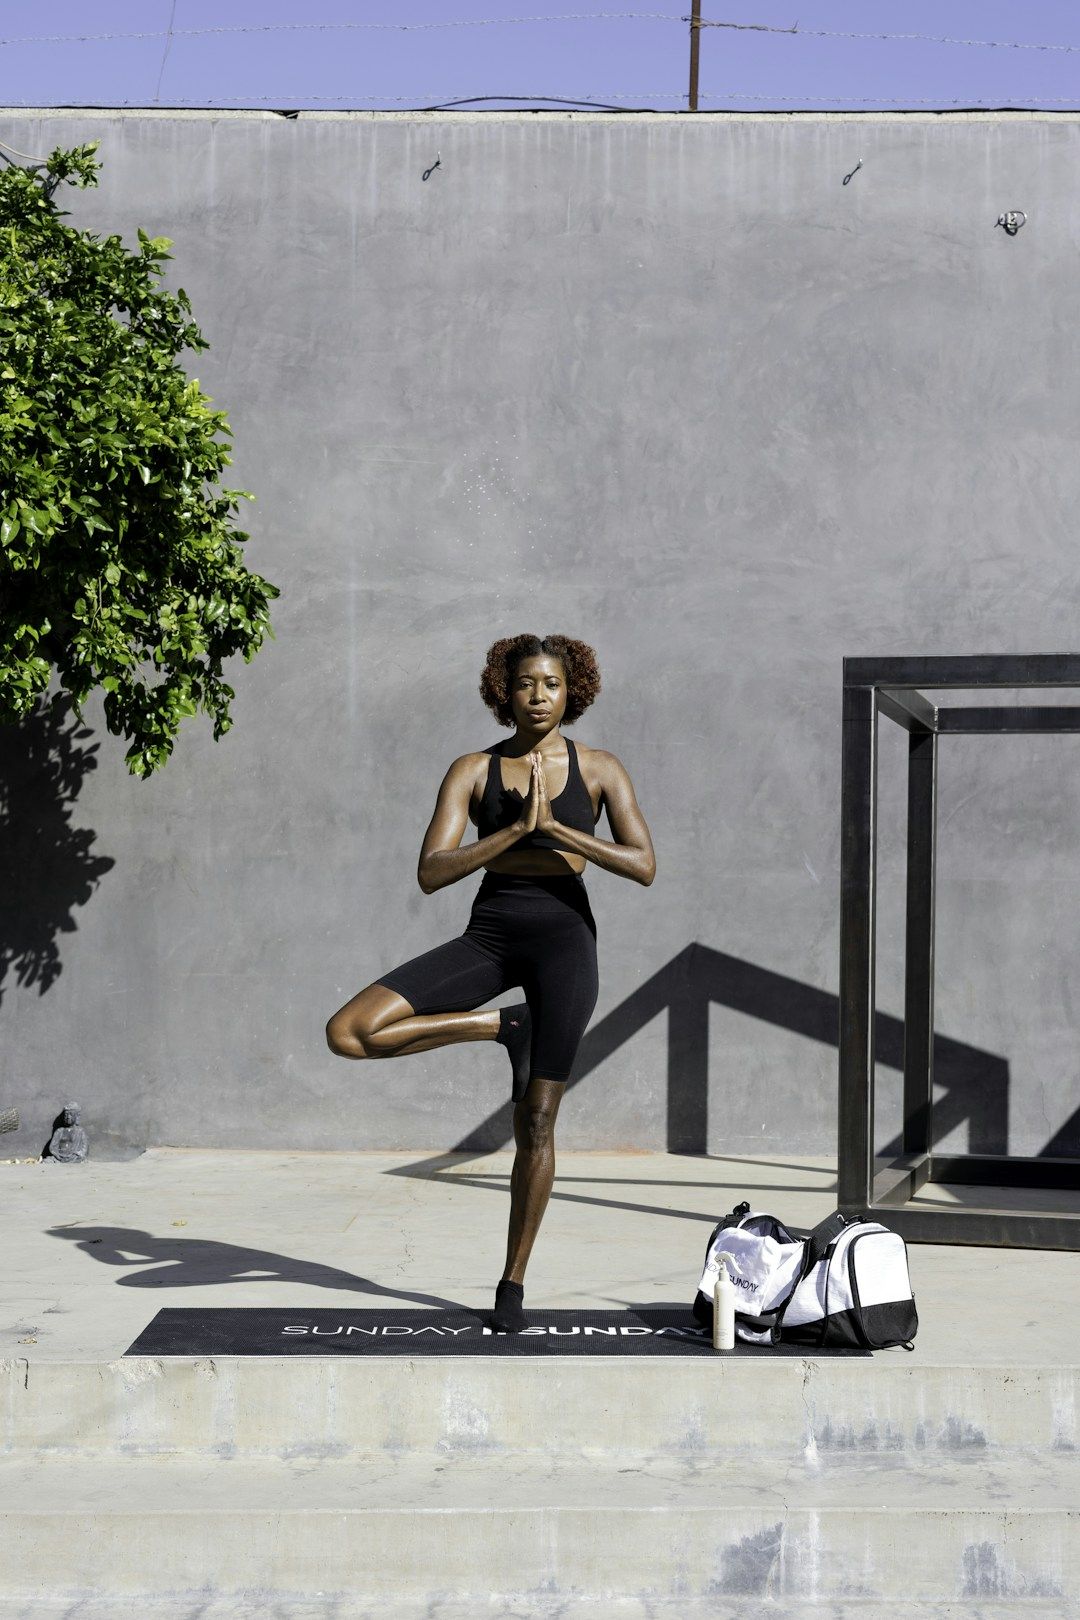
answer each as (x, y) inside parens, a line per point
(500, 22)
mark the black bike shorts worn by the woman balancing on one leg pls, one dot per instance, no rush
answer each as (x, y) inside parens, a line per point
(535, 932)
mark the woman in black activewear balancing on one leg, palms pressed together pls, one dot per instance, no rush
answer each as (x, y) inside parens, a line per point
(535, 801)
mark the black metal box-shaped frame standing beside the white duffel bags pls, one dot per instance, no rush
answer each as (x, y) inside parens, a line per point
(891, 688)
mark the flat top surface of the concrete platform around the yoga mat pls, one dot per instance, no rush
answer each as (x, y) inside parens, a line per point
(95, 1250)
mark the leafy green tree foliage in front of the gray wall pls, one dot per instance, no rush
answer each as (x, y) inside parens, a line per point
(117, 544)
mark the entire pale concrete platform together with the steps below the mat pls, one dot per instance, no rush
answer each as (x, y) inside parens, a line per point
(509, 1488)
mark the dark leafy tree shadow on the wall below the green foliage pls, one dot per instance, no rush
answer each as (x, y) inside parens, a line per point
(46, 866)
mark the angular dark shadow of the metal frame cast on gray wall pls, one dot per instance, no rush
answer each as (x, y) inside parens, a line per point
(976, 1083)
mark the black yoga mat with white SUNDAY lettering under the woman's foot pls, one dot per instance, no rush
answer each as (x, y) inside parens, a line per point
(330, 1331)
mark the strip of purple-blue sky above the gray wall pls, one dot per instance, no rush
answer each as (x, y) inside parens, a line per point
(624, 61)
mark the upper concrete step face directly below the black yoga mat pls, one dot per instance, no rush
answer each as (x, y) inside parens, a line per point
(338, 1407)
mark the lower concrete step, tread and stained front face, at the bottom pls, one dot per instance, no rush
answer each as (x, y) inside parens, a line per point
(888, 1528)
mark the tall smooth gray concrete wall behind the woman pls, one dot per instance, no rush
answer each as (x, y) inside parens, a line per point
(661, 383)
